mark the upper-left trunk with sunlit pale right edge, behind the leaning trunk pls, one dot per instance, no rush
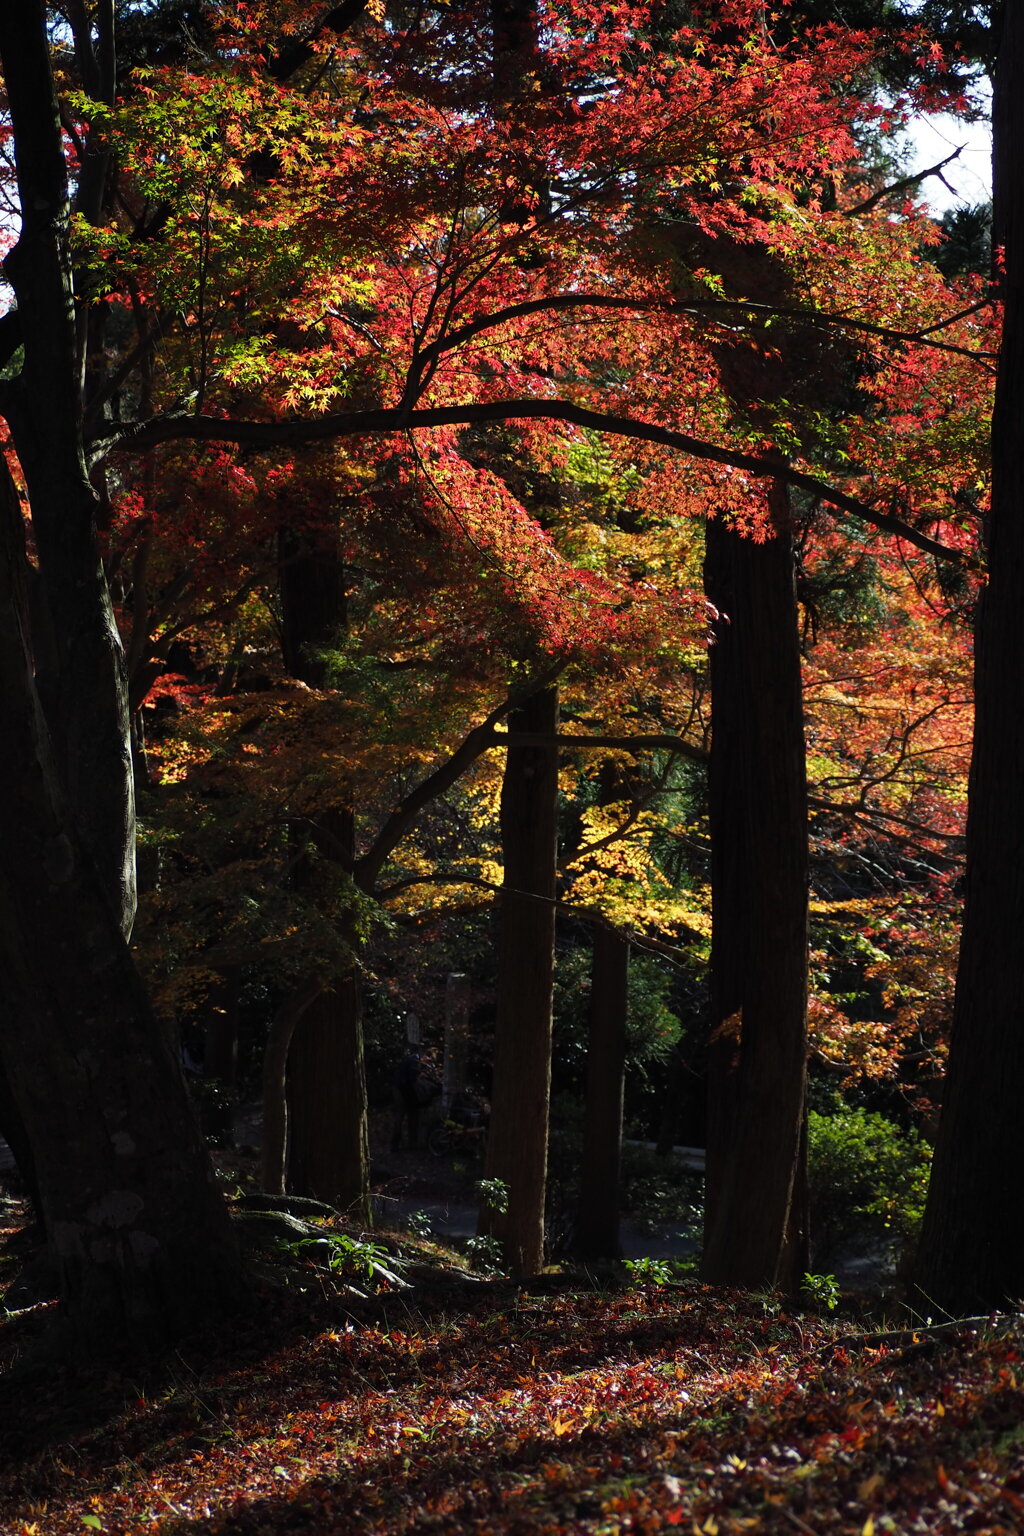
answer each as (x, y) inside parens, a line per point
(84, 689)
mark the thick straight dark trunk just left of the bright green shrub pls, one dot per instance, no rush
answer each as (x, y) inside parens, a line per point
(756, 1233)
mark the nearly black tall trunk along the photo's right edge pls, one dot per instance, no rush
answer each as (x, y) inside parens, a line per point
(973, 1243)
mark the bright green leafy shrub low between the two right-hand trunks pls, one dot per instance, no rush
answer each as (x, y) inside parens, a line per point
(868, 1180)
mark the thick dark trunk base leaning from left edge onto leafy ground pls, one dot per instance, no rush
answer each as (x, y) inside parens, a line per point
(134, 1220)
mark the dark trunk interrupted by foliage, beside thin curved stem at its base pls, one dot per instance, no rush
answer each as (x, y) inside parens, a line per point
(329, 1151)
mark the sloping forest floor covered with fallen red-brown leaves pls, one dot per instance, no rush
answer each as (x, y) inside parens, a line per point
(483, 1406)
